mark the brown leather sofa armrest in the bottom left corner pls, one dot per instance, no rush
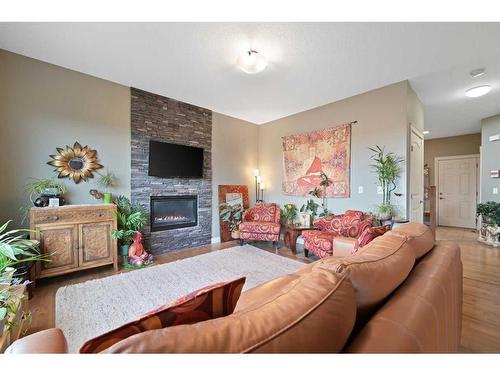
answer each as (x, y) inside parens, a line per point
(49, 341)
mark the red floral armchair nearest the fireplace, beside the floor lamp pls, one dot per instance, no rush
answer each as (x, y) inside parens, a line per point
(261, 222)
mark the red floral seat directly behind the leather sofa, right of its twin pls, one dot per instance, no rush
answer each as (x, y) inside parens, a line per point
(320, 242)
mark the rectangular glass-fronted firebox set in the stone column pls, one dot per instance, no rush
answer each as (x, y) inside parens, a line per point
(170, 212)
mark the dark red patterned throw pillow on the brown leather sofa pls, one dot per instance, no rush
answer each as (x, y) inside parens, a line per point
(210, 302)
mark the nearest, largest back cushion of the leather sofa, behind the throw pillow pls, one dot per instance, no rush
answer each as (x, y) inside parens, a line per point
(313, 313)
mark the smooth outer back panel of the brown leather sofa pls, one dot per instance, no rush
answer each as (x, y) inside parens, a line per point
(424, 315)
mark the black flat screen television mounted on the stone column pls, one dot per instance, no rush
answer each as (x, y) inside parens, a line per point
(169, 160)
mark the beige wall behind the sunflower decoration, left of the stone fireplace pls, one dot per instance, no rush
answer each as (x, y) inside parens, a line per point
(42, 107)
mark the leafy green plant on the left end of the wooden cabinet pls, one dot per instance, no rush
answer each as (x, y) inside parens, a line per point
(40, 191)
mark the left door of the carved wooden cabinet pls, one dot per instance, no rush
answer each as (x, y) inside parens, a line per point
(61, 242)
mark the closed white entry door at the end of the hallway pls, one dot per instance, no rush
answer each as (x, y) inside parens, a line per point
(457, 191)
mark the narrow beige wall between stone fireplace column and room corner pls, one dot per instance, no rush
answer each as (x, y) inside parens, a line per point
(234, 157)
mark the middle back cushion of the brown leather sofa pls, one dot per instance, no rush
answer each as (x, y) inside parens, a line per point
(376, 271)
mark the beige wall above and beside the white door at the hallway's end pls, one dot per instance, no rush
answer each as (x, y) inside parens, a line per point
(449, 146)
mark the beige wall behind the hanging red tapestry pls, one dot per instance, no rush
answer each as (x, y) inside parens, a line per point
(382, 117)
